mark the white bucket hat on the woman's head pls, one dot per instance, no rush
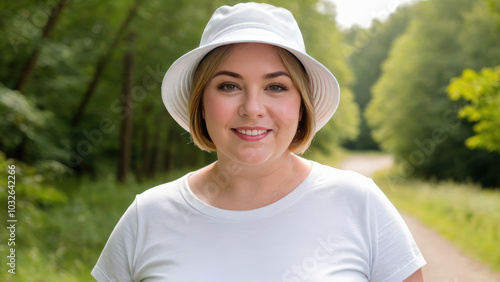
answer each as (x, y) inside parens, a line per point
(245, 23)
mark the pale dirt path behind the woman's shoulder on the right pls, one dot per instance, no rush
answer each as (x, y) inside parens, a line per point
(445, 262)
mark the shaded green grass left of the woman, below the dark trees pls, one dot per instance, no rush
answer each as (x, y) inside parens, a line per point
(63, 242)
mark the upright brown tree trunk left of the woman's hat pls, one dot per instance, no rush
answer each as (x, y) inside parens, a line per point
(126, 117)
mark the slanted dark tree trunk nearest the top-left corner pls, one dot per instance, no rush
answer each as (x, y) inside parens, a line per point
(33, 58)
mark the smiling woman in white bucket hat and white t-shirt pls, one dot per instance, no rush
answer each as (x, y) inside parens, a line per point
(260, 212)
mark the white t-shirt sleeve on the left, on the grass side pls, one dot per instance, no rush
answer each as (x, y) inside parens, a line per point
(116, 260)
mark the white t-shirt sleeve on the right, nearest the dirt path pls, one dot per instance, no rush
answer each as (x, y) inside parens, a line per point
(395, 255)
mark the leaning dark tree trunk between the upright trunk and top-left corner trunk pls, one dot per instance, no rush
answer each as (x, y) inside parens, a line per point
(101, 64)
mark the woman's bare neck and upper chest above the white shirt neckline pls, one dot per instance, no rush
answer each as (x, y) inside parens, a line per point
(235, 186)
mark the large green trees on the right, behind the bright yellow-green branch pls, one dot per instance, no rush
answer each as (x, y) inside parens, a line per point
(411, 115)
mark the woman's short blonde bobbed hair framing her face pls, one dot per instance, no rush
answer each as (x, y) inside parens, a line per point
(203, 75)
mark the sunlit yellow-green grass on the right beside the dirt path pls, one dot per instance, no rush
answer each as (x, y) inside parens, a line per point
(464, 213)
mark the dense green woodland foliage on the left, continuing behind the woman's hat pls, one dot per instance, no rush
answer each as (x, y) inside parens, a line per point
(160, 32)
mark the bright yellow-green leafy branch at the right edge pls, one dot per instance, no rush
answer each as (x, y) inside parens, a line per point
(482, 91)
